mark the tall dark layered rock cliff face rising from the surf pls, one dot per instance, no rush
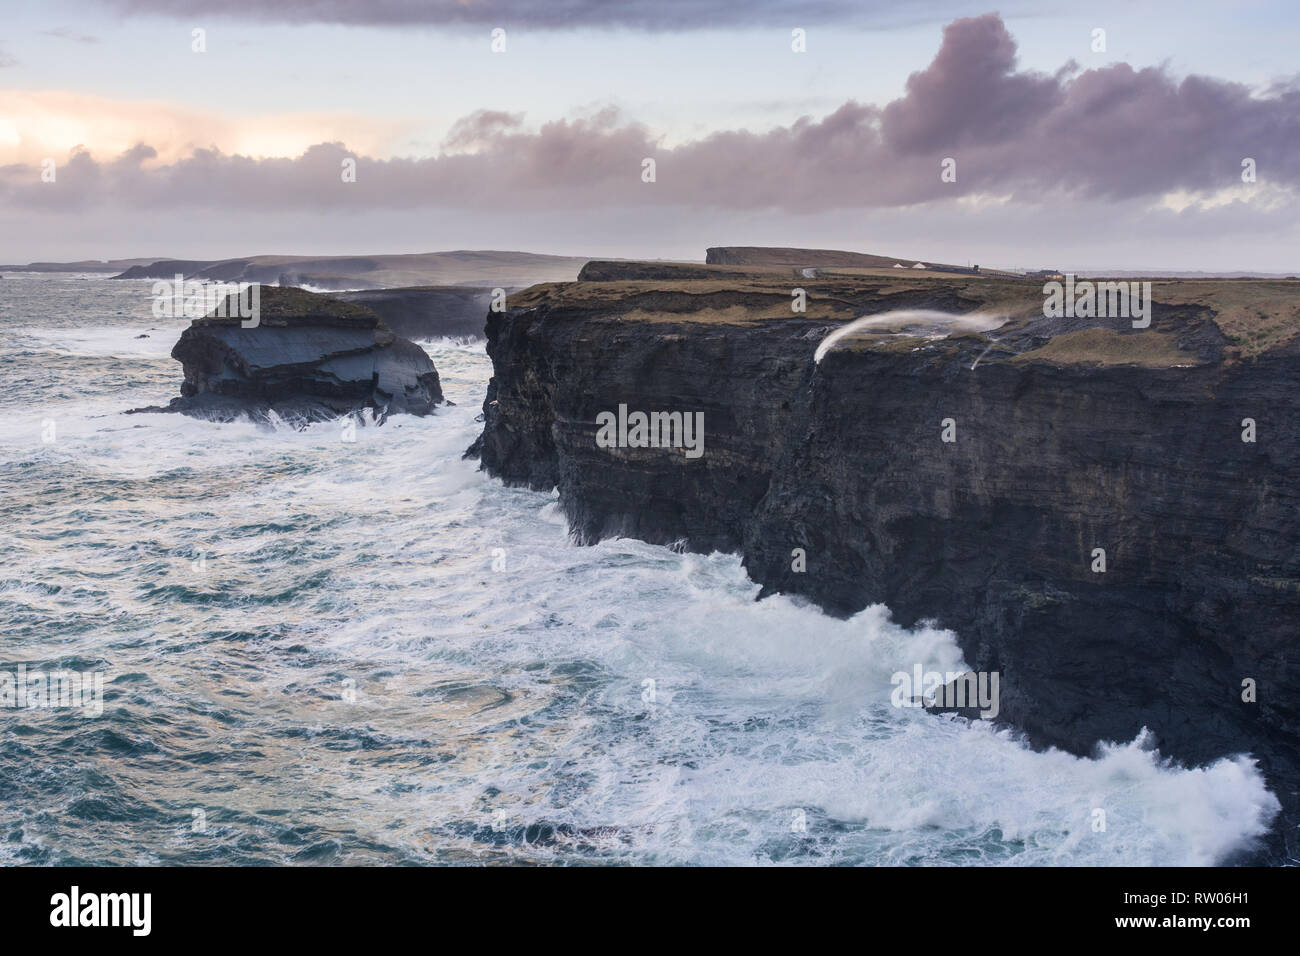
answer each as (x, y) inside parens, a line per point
(1060, 449)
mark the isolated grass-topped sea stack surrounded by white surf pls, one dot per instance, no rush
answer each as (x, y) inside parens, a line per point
(310, 358)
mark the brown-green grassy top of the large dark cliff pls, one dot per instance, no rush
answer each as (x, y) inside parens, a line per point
(1194, 321)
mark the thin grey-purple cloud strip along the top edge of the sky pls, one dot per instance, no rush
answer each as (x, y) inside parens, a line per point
(638, 15)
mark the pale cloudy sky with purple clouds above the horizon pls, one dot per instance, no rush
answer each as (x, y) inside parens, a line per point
(1065, 155)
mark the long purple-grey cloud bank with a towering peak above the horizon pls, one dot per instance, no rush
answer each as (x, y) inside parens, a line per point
(1112, 133)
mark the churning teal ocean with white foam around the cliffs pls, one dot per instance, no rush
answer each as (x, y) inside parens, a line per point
(318, 651)
